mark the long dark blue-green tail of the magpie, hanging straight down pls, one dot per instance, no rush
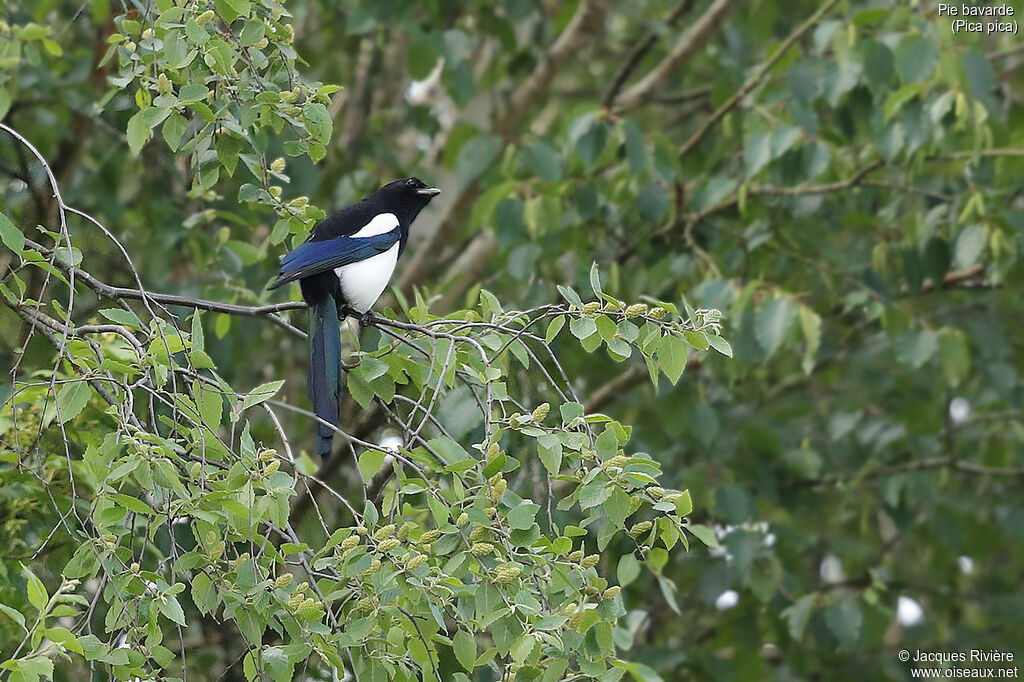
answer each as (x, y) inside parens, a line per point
(324, 381)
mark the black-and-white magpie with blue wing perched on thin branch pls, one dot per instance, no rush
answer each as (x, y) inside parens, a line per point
(344, 268)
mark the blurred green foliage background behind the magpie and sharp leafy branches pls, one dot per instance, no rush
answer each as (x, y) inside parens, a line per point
(851, 199)
